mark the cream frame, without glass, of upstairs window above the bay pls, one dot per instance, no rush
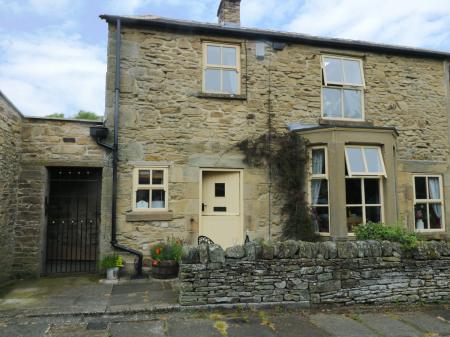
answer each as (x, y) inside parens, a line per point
(342, 86)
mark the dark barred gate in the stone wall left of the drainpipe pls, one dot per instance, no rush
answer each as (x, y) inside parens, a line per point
(73, 213)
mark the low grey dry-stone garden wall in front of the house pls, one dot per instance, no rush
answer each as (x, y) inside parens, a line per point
(345, 273)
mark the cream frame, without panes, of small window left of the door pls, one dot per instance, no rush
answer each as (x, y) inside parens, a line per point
(150, 187)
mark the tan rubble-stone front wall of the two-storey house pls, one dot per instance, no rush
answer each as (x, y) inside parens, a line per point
(165, 119)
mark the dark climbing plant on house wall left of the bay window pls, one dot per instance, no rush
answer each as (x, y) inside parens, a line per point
(286, 157)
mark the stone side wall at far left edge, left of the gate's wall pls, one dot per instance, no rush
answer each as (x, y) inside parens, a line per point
(10, 142)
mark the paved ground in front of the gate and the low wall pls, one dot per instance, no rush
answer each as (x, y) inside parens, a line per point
(44, 308)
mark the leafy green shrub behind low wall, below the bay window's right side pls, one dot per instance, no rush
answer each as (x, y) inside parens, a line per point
(394, 233)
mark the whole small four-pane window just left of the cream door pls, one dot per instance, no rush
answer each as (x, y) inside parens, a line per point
(150, 189)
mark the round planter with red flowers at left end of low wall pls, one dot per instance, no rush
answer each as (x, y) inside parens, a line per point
(165, 258)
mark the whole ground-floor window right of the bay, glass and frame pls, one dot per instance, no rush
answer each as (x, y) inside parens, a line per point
(428, 203)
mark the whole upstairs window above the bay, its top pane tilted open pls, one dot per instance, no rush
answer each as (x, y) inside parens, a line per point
(342, 92)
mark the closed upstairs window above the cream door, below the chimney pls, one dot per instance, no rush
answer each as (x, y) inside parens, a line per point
(221, 68)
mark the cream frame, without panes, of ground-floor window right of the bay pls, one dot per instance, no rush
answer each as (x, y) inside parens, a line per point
(428, 202)
